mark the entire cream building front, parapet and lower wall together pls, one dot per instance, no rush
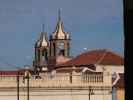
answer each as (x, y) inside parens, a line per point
(59, 81)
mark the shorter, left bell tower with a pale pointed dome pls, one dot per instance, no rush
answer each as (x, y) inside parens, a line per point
(41, 52)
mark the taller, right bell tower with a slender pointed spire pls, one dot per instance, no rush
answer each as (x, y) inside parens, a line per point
(59, 40)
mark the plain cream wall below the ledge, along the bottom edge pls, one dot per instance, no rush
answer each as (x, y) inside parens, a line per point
(56, 95)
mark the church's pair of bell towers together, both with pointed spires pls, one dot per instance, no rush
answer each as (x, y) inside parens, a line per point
(48, 51)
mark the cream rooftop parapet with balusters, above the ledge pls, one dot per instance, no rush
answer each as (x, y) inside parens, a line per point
(58, 80)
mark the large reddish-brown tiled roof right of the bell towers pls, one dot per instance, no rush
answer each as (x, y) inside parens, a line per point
(103, 57)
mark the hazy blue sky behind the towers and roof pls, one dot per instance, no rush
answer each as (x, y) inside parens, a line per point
(92, 24)
